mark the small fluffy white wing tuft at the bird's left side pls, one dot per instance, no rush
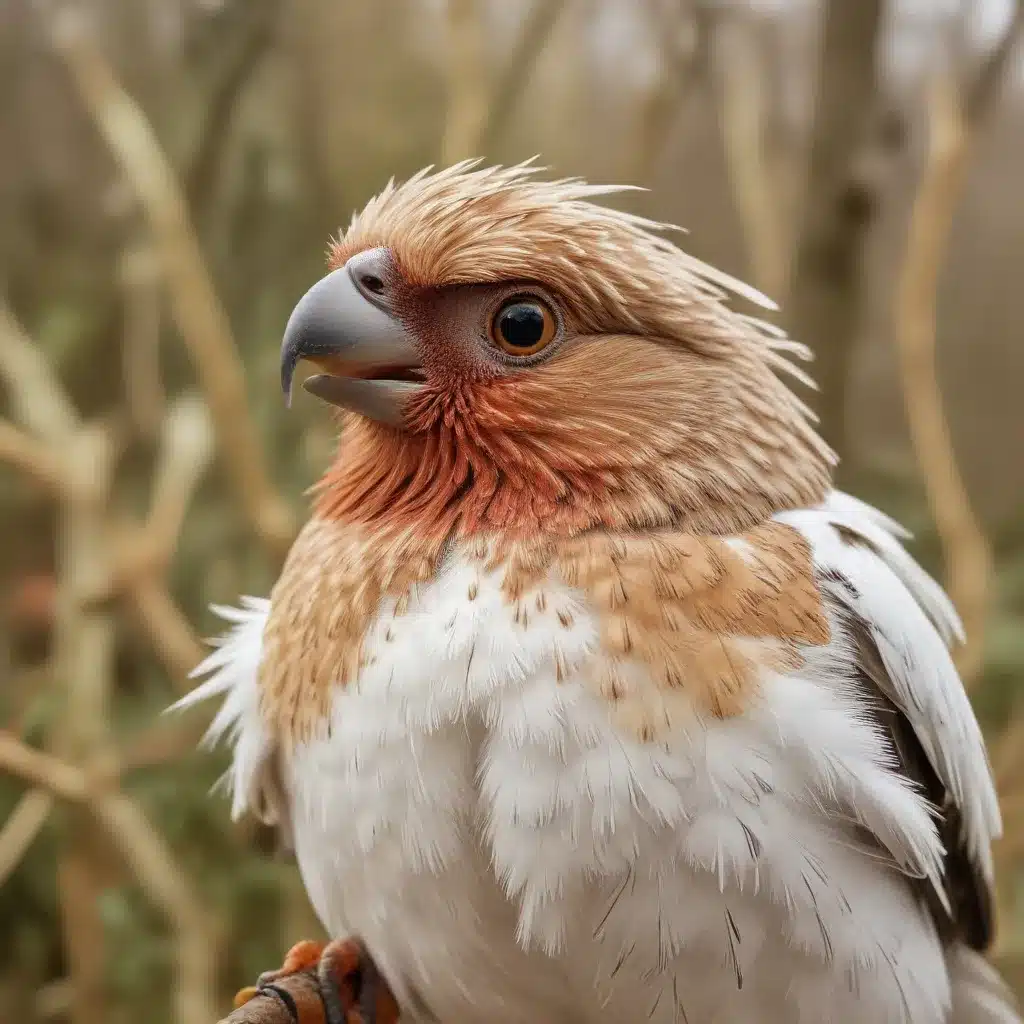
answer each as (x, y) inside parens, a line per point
(254, 777)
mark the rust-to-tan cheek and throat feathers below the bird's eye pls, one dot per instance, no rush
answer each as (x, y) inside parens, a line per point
(621, 433)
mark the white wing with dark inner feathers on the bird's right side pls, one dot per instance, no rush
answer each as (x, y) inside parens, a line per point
(898, 624)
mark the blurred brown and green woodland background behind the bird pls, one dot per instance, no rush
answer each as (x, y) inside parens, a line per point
(170, 175)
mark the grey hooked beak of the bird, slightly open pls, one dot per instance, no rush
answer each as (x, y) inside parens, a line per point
(345, 326)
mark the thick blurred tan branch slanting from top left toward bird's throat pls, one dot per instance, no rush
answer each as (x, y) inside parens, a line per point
(201, 319)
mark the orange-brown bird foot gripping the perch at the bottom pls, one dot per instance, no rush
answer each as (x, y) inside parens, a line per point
(351, 989)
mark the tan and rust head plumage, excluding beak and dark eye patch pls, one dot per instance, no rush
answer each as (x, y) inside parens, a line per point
(669, 410)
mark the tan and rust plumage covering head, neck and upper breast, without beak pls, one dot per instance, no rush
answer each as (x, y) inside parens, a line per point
(657, 439)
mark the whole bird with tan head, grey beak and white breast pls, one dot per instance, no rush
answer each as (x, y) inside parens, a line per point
(583, 695)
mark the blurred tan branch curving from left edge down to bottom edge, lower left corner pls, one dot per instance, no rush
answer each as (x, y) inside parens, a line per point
(146, 854)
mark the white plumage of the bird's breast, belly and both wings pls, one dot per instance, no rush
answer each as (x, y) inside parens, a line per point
(501, 845)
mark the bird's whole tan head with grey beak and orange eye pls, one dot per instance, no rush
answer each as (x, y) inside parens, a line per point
(514, 357)
